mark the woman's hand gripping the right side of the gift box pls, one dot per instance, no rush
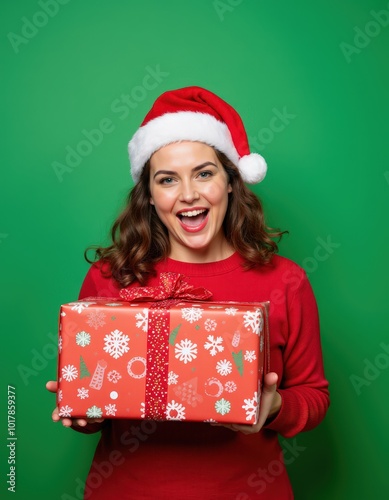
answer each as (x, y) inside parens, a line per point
(270, 405)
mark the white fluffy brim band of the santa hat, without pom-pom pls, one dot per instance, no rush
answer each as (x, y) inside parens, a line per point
(180, 126)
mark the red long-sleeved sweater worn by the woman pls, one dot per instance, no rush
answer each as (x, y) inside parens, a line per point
(183, 460)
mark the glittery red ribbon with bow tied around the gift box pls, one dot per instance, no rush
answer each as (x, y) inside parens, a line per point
(172, 289)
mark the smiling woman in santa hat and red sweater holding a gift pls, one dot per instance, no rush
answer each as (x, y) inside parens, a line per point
(191, 213)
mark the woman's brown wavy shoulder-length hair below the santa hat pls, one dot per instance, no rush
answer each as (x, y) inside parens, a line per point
(140, 240)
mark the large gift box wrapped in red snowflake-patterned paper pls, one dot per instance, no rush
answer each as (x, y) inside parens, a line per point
(162, 359)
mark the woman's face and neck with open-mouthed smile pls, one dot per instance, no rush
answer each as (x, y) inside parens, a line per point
(189, 190)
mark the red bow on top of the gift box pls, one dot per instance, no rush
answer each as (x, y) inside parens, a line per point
(172, 286)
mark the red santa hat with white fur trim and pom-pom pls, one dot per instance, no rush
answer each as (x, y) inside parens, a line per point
(195, 114)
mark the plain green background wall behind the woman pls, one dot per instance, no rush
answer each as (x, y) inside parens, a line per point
(328, 180)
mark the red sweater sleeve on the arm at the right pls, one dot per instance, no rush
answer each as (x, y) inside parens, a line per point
(303, 387)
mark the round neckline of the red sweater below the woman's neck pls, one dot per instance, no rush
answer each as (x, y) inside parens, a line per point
(202, 269)
